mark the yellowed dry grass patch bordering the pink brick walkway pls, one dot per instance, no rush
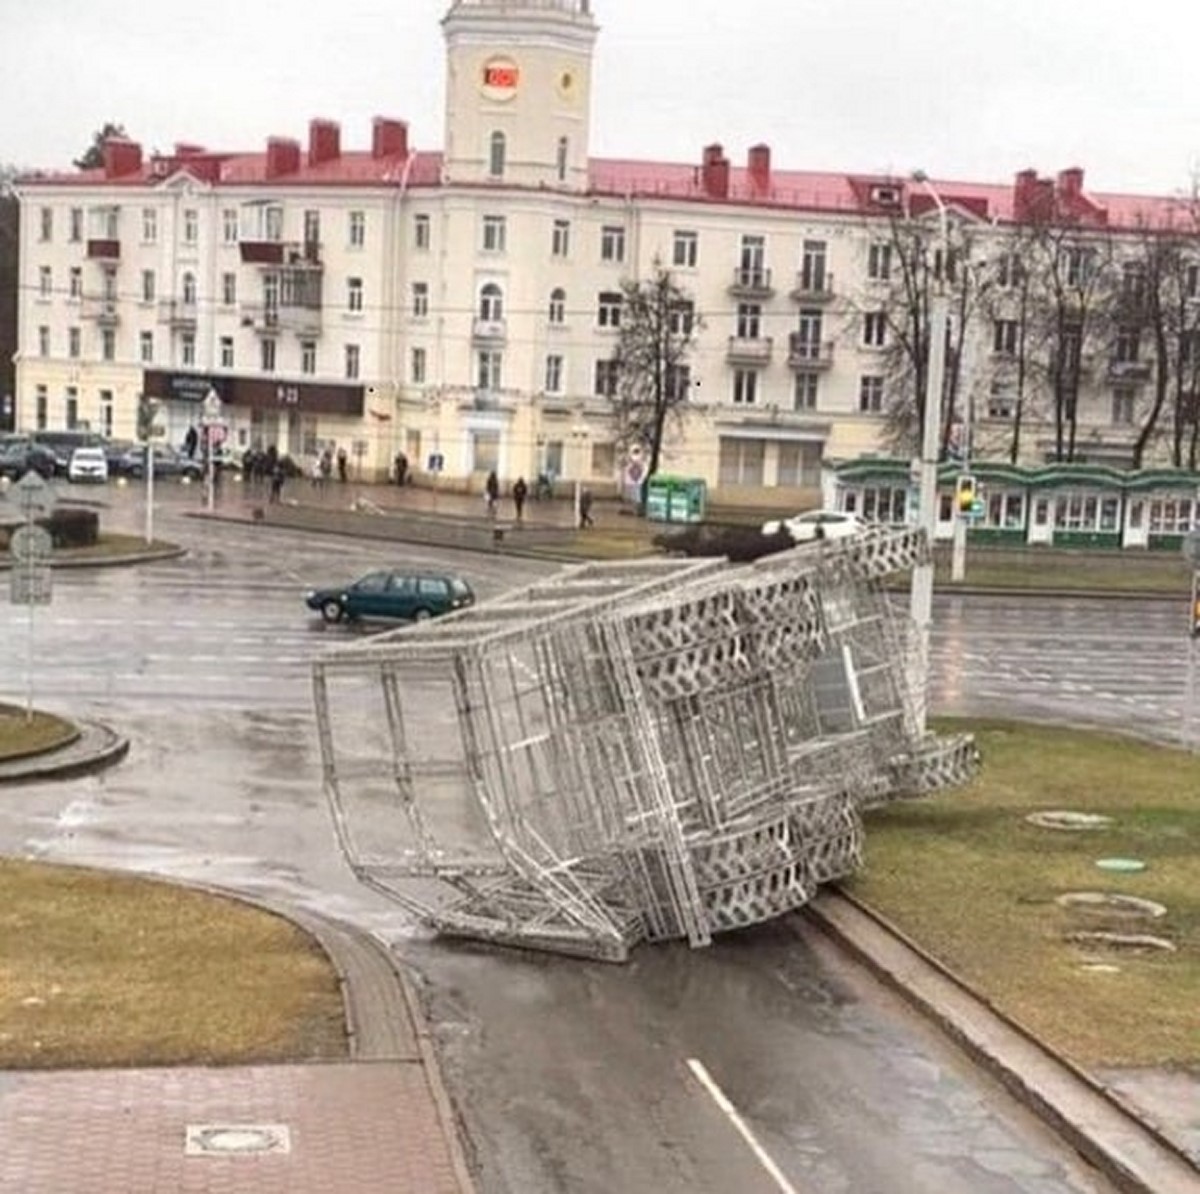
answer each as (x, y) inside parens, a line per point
(109, 970)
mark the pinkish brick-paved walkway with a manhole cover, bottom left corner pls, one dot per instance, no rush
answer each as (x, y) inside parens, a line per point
(338, 1130)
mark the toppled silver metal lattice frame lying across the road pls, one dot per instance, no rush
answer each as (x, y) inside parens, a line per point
(632, 752)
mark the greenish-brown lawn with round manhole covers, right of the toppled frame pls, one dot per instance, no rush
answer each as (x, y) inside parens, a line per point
(968, 878)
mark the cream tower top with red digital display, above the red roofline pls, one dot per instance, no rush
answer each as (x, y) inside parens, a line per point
(519, 93)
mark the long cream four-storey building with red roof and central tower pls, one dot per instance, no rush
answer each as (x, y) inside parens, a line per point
(464, 307)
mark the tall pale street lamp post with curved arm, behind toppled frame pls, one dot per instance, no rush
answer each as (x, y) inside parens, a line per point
(922, 598)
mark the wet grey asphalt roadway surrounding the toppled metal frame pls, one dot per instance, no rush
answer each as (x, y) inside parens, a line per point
(571, 1077)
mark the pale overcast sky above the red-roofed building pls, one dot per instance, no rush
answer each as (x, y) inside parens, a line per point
(964, 89)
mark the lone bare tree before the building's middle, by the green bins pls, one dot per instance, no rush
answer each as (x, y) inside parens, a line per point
(652, 379)
